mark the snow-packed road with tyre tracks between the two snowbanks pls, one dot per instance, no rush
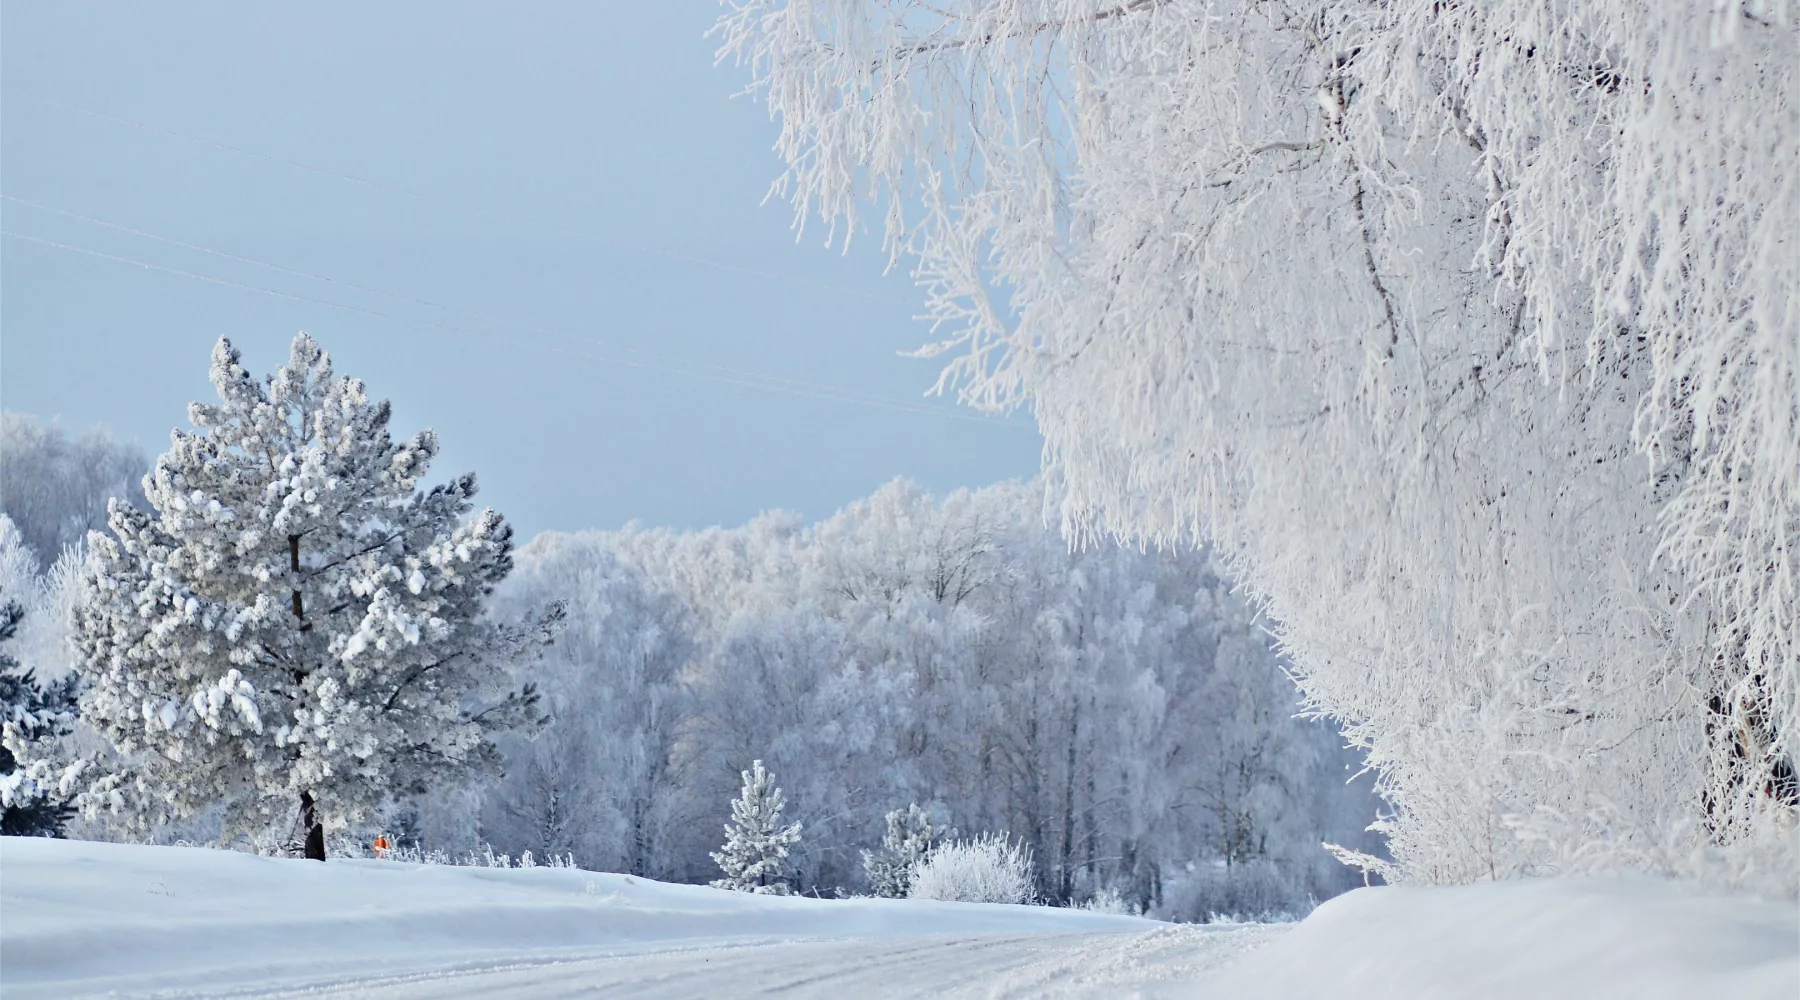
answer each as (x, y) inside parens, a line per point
(1164, 963)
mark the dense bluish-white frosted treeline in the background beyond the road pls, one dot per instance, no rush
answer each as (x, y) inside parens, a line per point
(1120, 713)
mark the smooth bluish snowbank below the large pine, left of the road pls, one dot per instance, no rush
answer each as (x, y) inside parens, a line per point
(84, 918)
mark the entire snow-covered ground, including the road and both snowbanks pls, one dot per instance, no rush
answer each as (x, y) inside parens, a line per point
(112, 920)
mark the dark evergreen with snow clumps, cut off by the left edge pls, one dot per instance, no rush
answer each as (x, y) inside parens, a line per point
(31, 711)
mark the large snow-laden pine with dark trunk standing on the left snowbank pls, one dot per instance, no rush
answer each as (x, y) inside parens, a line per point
(296, 630)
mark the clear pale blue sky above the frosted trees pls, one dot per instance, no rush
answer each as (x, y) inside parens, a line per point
(555, 166)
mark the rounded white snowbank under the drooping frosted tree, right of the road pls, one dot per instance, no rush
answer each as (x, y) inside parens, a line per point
(1558, 938)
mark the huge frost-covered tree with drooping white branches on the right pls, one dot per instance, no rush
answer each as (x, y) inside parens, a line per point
(1464, 332)
